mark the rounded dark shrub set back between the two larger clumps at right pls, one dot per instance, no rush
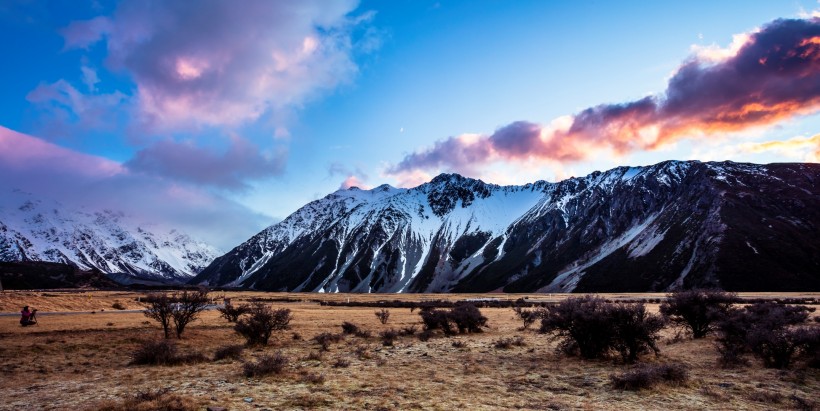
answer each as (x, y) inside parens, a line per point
(697, 310)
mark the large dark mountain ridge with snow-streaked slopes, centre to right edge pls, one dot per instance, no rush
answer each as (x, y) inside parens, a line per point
(670, 225)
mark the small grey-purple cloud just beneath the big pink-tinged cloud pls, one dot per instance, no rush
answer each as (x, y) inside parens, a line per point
(185, 161)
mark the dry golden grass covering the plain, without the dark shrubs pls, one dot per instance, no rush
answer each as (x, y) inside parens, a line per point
(80, 361)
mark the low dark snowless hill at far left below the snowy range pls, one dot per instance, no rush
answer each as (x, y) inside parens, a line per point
(26, 275)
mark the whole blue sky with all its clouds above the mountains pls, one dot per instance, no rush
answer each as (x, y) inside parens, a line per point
(220, 118)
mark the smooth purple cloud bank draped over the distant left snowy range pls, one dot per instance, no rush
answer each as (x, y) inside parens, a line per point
(77, 179)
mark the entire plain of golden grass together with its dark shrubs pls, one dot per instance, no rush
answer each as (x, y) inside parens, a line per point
(349, 359)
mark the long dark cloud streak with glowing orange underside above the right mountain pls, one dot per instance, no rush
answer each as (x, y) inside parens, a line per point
(765, 77)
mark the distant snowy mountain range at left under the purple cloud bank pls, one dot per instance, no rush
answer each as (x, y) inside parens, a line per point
(112, 242)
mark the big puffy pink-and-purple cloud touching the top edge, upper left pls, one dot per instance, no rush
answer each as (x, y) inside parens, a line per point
(217, 63)
